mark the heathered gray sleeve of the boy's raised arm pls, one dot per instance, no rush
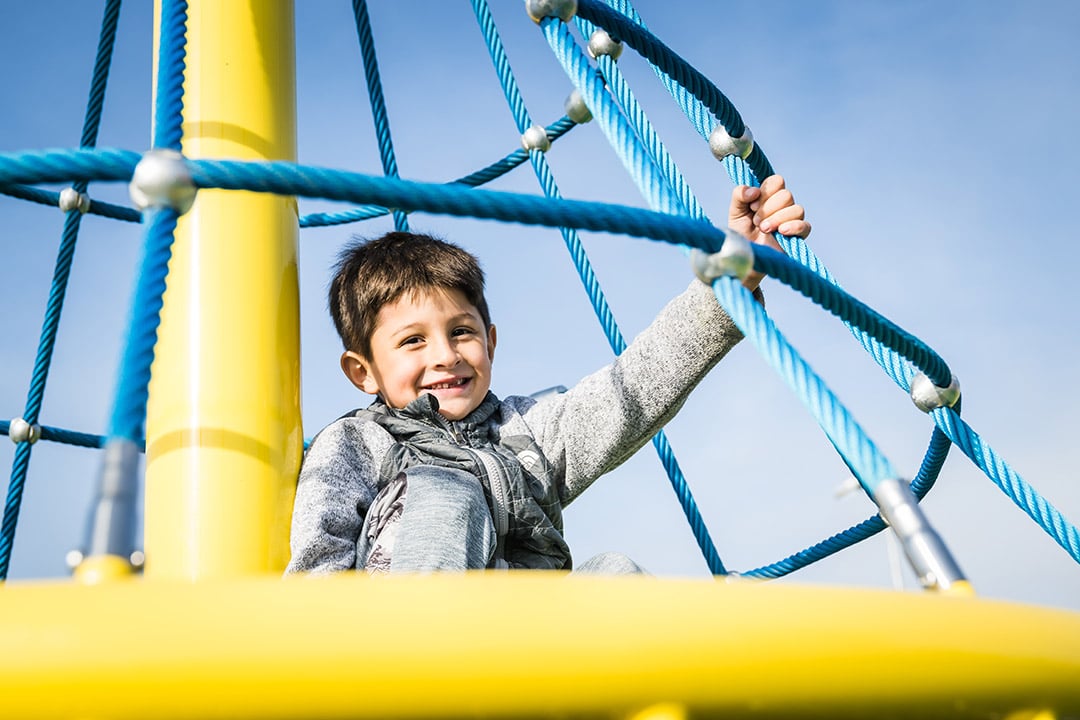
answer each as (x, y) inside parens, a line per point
(610, 415)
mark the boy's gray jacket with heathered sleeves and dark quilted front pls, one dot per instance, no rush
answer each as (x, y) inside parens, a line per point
(542, 454)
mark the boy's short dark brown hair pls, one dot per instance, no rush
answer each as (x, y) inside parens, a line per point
(371, 275)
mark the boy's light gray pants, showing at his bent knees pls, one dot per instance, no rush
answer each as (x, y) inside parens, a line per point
(433, 519)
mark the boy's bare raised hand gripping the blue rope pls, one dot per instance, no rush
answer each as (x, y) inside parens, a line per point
(758, 213)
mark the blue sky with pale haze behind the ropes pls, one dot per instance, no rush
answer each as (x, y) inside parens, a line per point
(933, 144)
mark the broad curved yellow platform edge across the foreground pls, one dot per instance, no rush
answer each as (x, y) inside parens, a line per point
(526, 645)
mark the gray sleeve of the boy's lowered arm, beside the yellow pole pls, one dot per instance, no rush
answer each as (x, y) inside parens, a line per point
(337, 484)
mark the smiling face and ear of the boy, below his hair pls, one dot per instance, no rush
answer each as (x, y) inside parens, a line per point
(431, 343)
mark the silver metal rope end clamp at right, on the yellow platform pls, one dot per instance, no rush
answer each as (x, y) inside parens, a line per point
(933, 563)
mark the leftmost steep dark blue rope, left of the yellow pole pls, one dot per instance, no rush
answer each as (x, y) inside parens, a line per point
(58, 292)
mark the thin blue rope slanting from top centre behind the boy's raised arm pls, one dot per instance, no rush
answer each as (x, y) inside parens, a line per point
(588, 276)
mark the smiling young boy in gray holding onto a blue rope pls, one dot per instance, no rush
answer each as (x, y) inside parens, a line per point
(440, 474)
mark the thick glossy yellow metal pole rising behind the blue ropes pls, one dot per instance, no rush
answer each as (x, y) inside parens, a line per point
(224, 437)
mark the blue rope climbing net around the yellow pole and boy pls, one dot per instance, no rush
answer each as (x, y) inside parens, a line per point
(602, 96)
